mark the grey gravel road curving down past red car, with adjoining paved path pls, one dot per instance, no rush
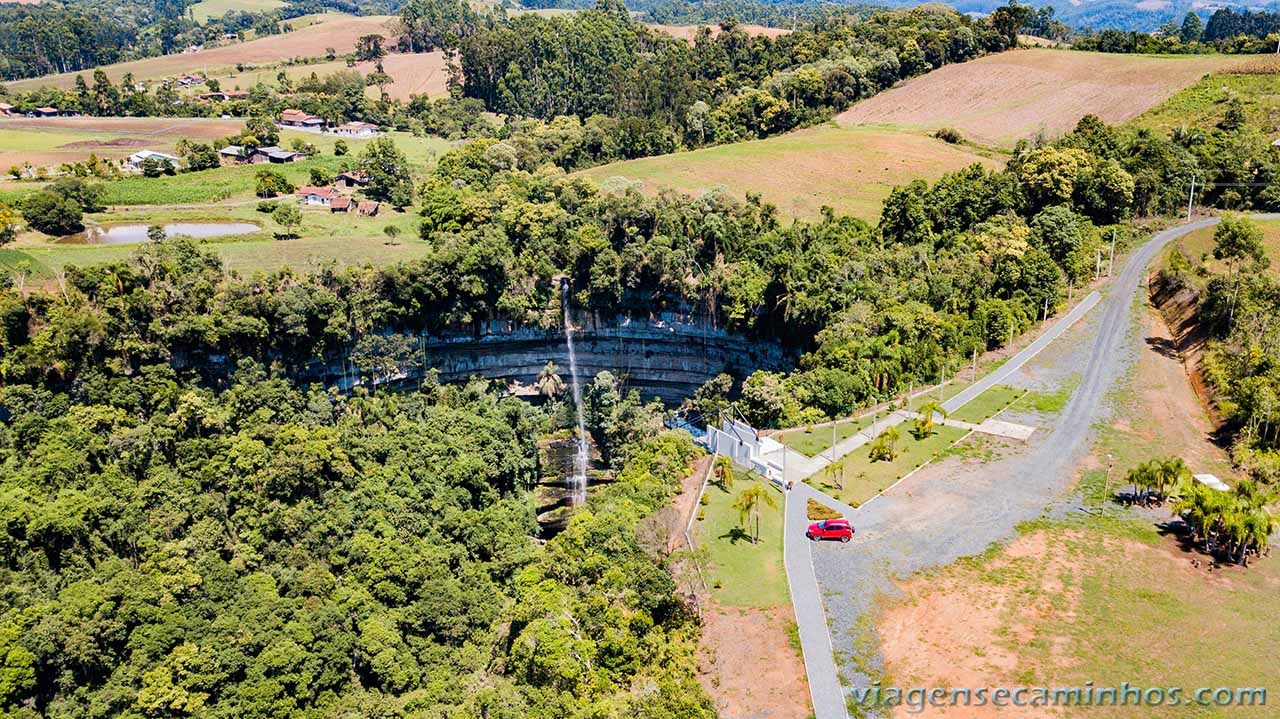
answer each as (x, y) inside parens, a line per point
(907, 530)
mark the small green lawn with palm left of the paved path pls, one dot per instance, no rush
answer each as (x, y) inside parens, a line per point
(748, 575)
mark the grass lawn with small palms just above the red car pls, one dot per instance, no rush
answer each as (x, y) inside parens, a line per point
(866, 479)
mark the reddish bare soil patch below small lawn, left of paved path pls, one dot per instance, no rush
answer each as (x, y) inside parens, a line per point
(749, 667)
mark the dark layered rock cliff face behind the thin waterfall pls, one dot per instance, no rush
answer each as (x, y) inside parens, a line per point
(668, 356)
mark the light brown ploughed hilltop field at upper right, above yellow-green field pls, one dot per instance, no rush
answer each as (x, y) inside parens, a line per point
(1002, 99)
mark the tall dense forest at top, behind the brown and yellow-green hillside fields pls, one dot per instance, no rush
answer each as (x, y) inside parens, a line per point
(724, 88)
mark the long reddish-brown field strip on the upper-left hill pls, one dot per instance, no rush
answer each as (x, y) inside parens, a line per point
(337, 31)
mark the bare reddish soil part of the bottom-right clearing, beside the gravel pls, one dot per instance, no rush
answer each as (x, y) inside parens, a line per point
(970, 626)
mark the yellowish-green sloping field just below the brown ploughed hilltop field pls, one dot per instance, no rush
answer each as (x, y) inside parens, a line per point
(849, 170)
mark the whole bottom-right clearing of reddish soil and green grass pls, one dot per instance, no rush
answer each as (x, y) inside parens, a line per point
(1103, 601)
